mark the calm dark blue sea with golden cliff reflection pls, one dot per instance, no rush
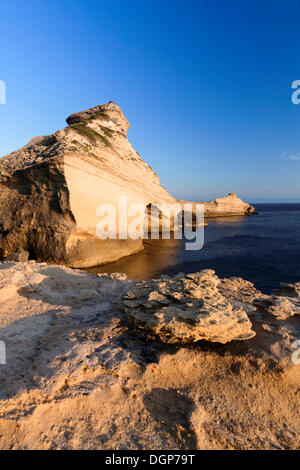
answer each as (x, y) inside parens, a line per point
(263, 248)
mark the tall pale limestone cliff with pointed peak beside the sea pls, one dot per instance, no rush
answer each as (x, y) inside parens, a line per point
(51, 188)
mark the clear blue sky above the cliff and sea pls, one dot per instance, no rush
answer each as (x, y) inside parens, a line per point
(205, 85)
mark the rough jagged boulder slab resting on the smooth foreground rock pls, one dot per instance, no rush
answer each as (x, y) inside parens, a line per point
(187, 308)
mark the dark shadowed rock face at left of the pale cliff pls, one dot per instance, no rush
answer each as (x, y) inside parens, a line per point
(35, 213)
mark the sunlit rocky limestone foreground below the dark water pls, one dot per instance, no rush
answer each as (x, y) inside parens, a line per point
(182, 362)
